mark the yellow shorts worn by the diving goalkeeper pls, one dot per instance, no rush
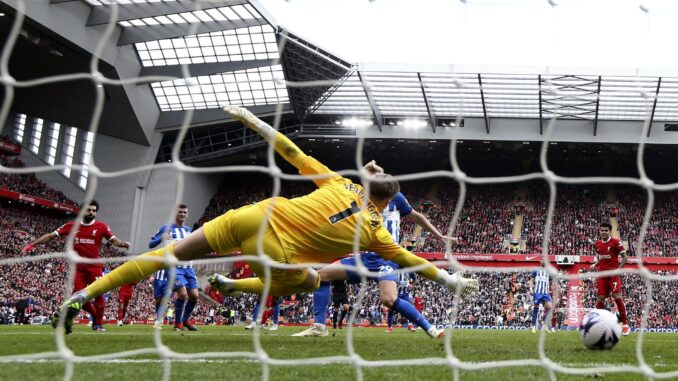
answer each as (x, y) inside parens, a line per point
(238, 229)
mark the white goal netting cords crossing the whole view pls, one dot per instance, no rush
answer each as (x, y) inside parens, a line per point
(353, 358)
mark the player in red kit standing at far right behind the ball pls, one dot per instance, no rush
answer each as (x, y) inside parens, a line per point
(608, 251)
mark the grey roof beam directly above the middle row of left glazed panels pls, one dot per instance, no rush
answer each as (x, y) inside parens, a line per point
(133, 35)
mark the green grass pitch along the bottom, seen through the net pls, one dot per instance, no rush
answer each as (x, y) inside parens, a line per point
(470, 346)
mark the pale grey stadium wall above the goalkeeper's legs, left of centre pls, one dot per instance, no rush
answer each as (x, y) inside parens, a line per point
(136, 204)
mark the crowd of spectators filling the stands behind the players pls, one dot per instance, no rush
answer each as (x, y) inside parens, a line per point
(37, 287)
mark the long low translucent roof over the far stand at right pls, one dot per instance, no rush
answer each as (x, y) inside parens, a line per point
(451, 94)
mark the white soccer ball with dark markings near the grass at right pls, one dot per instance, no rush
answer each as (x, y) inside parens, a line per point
(599, 330)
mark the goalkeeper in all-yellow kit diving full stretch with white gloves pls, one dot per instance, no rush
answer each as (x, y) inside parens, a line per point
(318, 227)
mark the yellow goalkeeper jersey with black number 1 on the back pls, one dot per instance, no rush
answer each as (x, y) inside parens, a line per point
(321, 226)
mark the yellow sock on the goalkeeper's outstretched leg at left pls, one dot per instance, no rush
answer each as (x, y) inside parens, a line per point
(129, 272)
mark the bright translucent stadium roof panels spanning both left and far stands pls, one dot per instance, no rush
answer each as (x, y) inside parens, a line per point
(169, 33)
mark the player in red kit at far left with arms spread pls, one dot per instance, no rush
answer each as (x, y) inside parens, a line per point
(87, 244)
